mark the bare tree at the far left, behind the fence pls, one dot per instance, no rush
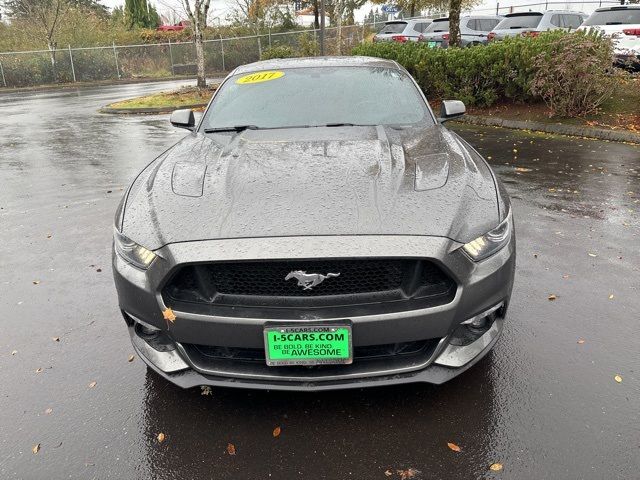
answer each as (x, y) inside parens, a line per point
(45, 16)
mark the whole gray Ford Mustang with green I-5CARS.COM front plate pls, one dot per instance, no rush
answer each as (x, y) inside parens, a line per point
(319, 228)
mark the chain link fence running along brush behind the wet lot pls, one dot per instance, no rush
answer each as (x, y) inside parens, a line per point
(163, 60)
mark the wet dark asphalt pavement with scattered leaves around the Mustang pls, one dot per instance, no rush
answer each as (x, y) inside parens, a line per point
(542, 404)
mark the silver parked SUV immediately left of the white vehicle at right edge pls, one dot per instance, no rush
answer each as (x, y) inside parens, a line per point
(533, 23)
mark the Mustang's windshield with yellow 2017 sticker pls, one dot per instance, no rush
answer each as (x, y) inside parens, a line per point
(316, 96)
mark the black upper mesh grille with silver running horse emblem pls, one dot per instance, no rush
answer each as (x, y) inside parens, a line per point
(345, 282)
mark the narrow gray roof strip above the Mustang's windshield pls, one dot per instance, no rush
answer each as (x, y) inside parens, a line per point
(311, 62)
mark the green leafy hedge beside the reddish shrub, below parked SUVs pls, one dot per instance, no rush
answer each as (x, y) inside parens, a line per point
(478, 75)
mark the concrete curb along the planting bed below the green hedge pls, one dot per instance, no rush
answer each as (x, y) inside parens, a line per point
(558, 129)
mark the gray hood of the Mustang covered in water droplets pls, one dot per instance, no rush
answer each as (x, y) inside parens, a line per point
(313, 181)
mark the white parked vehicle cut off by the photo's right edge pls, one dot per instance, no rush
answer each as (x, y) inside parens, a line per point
(622, 24)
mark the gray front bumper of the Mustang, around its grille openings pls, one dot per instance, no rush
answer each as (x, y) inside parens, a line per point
(480, 287)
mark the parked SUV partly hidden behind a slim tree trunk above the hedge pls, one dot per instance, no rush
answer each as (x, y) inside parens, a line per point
(474, 30)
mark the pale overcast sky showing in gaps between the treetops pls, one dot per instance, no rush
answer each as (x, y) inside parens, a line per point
(222, 7)
